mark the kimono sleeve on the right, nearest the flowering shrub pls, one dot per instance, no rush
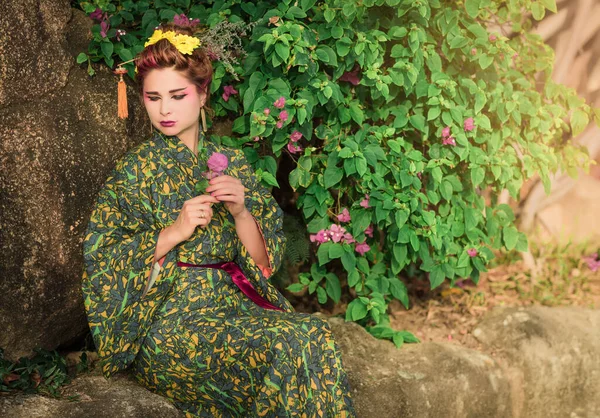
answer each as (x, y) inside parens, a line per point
(268, 217)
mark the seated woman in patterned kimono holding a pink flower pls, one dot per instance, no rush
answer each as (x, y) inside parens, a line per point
(207, 330)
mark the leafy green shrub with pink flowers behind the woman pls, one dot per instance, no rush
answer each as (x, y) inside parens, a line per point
(412, 103)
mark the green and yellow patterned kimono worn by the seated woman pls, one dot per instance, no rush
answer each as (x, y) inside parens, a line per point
(194, 337)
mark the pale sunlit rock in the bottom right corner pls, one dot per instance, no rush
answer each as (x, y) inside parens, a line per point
(550, 355)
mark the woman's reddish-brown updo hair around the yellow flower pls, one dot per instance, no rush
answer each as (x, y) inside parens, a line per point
(197, 67)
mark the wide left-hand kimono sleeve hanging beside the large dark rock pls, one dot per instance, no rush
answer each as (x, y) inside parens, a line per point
(118, 251)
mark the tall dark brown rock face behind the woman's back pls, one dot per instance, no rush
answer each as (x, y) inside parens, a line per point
(59, 139)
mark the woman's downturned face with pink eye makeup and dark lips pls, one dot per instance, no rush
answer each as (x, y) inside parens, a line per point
(173, 103)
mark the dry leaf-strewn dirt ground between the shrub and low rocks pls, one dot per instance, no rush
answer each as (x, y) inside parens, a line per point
(451, 314)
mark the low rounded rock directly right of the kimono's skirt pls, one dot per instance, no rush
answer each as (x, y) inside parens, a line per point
(421, 380)
